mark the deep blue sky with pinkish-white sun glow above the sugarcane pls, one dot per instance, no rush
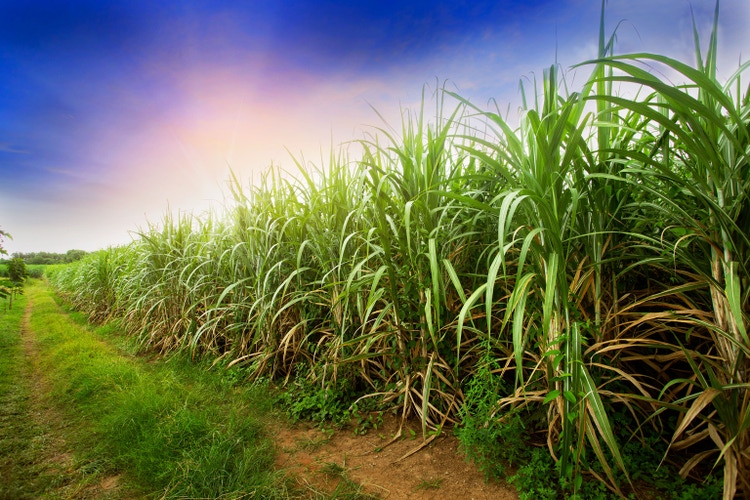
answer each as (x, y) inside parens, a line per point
(113, 112)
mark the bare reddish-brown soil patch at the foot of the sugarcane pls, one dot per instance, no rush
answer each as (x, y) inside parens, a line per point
(407, 468)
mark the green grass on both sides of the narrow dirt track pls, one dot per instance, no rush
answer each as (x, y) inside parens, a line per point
(166, 430)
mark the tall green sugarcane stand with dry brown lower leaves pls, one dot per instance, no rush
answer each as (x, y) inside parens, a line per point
(595, 258)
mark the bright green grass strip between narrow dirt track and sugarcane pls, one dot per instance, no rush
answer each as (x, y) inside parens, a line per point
(170, 428)
